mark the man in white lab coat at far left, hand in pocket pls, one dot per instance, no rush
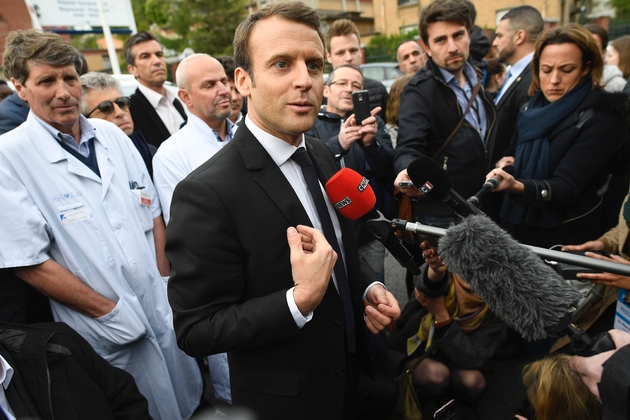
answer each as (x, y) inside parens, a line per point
(83, 225)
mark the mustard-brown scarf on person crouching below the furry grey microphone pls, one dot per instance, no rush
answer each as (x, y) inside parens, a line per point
(465, 307)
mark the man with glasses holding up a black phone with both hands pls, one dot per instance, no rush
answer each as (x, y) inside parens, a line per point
(364, 147)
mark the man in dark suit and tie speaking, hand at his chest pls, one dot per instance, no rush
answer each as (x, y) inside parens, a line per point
(294, 337)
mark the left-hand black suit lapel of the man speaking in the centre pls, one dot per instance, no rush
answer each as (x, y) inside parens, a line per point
(270, 177)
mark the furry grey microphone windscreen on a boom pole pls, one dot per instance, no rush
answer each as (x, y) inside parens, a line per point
(523, 291)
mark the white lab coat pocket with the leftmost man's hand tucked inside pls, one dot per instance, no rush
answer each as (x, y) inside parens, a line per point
(120, 327)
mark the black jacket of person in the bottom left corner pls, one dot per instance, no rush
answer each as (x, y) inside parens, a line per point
(58, 375)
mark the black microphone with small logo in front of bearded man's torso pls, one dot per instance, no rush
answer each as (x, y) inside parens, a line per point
(432, 180)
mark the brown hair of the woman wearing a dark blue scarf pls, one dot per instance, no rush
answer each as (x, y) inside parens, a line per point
(570, 34)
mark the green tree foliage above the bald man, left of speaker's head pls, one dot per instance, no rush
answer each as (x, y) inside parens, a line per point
(206, 26)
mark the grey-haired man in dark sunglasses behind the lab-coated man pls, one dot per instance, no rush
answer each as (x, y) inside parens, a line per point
(101, 97)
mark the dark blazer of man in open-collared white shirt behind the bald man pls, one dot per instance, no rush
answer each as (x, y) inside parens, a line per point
(146, 119)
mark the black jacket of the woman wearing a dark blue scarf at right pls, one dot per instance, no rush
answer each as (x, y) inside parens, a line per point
(581, 156)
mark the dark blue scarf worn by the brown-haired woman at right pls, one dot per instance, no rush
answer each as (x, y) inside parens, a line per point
(531, 160)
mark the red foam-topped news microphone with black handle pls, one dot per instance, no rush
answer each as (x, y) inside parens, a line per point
(353, 197)
